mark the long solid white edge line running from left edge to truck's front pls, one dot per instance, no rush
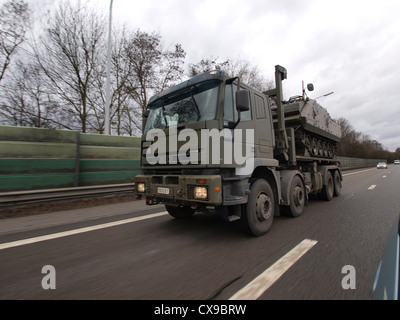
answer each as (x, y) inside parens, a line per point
(78, 231)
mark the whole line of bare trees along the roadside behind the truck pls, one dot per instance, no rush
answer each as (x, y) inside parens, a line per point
(53, 74)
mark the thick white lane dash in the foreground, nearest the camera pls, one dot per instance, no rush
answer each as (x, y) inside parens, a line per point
(264, 281)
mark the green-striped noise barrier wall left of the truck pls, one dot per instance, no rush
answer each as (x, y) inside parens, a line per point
(32, 159)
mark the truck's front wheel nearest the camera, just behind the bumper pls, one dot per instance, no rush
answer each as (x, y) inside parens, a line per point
(260, 209)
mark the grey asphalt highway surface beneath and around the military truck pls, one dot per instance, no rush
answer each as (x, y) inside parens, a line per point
(130, 251)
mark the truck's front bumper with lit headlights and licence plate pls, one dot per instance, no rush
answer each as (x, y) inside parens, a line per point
(181, 190)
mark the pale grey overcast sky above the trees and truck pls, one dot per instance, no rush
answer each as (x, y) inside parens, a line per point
(351, 47)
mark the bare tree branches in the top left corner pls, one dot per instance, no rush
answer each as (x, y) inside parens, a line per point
(14, 22)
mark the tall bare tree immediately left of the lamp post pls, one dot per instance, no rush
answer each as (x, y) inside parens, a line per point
(68, 54)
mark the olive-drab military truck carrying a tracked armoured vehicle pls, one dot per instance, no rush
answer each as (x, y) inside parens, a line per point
(290, 151)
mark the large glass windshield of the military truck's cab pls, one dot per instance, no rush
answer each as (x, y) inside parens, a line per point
(197, 103)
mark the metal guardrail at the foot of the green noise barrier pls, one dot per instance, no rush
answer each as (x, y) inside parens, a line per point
(9, 199)
